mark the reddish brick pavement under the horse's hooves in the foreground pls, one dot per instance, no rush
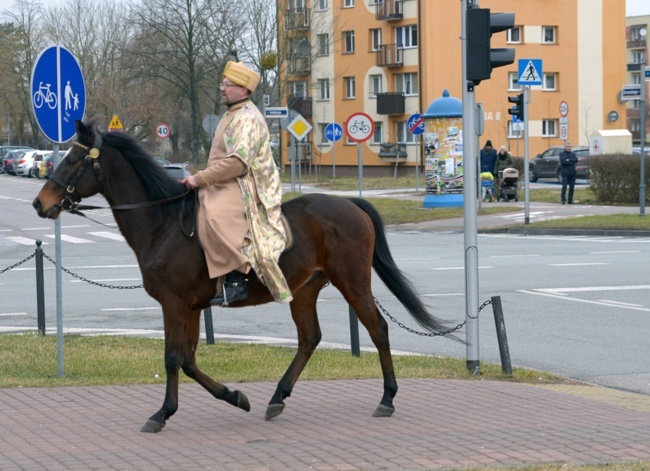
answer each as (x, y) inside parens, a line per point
(327, 425)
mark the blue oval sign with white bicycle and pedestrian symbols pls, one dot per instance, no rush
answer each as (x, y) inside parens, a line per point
(58, 93)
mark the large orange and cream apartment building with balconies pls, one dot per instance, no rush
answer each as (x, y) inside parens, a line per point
(391, 59)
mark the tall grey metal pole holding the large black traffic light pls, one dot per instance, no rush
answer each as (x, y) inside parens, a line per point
(469, 200)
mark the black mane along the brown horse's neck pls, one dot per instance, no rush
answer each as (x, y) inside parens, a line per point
(156, 181)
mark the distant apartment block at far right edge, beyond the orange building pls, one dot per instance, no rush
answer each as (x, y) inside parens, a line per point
(637, 53)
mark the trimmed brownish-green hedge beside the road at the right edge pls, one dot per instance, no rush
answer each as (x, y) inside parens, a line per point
(615, 178)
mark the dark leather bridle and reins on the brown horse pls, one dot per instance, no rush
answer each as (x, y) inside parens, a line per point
(71, 201)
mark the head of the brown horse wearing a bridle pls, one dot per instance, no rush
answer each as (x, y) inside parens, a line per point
(75, 177)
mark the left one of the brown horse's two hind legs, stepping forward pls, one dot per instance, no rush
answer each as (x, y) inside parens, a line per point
(303, 312)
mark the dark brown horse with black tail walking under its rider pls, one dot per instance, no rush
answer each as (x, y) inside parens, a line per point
(336, 240)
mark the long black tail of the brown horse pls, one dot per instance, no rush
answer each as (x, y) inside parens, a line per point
(394, 278)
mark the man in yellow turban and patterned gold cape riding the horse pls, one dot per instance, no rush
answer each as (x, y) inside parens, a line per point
(239, 196)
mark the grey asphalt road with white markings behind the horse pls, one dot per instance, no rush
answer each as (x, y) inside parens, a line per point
(574, 305)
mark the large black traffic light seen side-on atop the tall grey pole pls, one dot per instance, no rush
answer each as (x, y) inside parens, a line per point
(480, 59)
